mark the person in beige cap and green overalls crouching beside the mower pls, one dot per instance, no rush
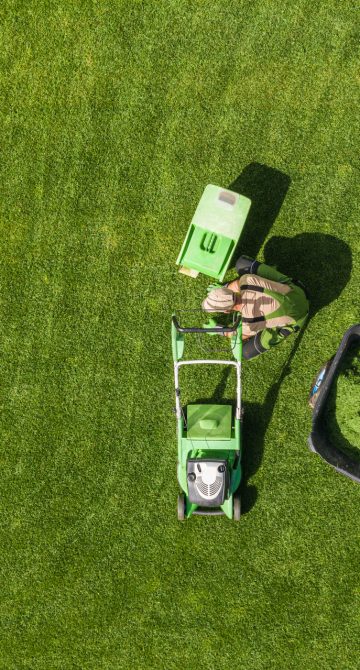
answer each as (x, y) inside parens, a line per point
(272, 305)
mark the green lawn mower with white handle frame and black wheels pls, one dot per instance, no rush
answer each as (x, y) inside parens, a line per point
(209, 436)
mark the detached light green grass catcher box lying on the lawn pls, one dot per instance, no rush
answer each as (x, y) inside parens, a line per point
(213, 233)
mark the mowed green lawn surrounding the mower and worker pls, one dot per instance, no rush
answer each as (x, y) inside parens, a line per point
(115, 115)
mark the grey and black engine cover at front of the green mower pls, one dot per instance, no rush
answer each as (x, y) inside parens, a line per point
(208, 481)
